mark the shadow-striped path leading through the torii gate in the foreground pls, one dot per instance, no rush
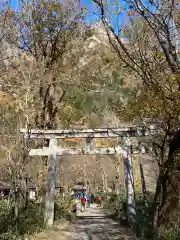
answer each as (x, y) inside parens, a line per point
(91, 225)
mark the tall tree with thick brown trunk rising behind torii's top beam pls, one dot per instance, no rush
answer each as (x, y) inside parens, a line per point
(47, 31)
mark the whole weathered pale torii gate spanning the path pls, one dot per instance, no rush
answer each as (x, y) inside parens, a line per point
(89, 134)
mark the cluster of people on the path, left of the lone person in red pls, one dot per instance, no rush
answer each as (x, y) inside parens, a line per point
(84, 197)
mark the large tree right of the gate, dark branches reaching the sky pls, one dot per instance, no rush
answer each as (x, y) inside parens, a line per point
(147, 46)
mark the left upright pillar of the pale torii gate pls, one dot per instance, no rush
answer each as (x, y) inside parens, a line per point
(50, 192)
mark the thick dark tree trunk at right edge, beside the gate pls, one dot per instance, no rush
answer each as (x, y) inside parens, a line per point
(168, 190)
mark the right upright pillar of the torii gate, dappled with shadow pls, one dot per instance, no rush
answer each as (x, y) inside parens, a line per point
(129, 181)
